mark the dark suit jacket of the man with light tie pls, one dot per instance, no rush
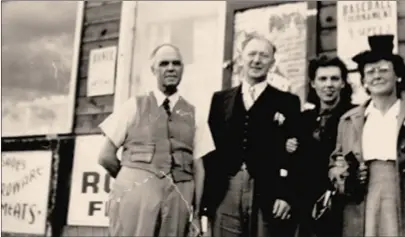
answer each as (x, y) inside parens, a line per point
(273, 137)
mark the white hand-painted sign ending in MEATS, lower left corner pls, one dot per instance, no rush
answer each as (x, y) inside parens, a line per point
(24, 191)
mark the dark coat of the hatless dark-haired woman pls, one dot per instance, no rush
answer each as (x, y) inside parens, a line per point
(316, 145)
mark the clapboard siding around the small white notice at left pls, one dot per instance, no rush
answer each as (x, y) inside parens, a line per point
(100, 29)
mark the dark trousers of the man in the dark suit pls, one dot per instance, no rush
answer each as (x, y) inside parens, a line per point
(235, 217)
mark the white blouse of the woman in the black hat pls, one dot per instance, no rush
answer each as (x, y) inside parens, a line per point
(379, 139)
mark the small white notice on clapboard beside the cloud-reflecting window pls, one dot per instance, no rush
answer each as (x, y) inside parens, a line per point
(101, 71)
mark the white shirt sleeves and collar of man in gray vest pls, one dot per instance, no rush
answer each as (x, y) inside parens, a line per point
(116, 126)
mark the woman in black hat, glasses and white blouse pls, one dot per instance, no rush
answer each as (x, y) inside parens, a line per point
(368, 165)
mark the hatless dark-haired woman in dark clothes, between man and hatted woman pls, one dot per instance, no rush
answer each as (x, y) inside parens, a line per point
(330, 94)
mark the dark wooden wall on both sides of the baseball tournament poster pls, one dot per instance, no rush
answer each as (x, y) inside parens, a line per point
(327, 23)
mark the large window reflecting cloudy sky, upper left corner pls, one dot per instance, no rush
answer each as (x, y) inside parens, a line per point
(38, 80)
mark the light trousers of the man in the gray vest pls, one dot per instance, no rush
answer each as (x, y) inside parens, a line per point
(141, 204)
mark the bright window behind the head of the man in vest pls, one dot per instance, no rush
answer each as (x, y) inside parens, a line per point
(197, 28)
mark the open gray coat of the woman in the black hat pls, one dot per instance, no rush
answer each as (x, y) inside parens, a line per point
(349, 140)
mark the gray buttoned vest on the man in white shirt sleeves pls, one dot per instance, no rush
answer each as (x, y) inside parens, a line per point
(158, 144)
